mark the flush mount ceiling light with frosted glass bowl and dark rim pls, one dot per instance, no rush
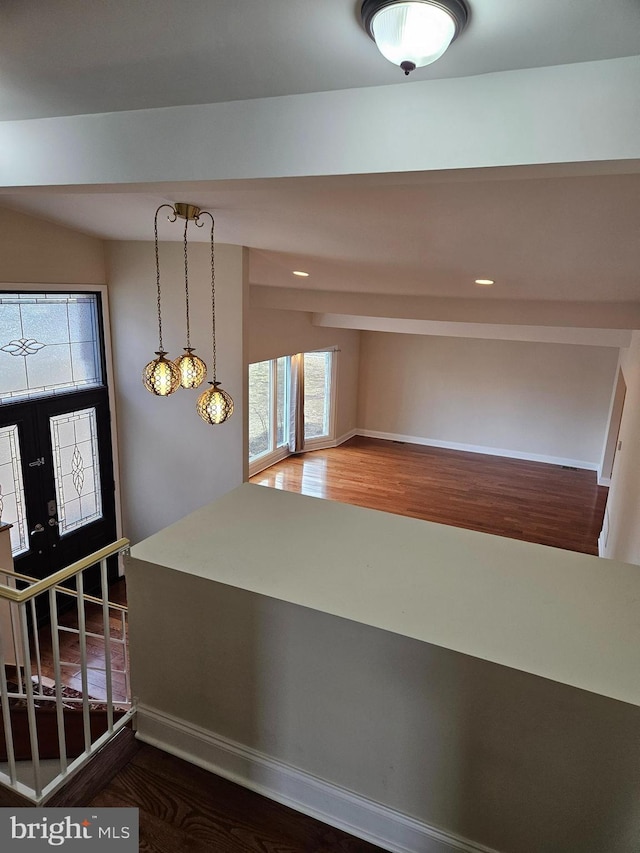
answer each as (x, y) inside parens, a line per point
(414, 33)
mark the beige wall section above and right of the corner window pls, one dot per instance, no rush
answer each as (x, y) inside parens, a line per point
(273, 333)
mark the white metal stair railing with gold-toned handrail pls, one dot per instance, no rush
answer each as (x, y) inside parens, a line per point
(40, 613)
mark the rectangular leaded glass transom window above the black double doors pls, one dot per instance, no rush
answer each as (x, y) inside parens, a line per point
(49, 344)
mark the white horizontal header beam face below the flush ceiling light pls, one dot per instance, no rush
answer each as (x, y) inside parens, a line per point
(583, 112)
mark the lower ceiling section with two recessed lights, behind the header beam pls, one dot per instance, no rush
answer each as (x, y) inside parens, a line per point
(559, 238)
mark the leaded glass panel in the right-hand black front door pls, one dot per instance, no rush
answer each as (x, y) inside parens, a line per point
(76, 469)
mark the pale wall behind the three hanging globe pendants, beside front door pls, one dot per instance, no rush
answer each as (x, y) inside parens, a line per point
(171, 462)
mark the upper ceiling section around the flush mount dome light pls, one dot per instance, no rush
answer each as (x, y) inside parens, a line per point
(65, 57)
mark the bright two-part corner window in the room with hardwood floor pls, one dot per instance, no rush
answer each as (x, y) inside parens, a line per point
(270, 404)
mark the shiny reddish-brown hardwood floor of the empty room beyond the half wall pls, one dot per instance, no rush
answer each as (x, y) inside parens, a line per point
(532, 501)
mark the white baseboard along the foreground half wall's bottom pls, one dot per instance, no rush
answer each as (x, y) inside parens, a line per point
(296, 788)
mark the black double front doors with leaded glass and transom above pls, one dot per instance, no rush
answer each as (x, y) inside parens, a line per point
(56, 466)
